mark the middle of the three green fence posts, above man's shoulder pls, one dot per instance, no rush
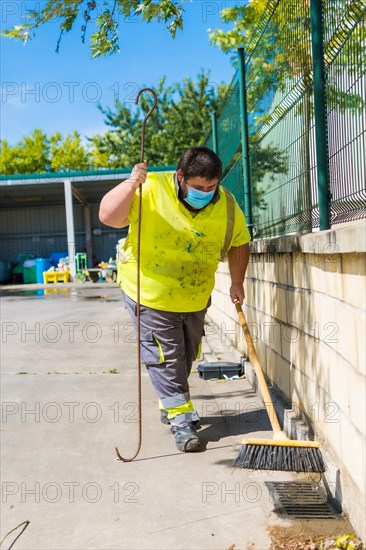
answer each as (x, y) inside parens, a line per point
(245, 140)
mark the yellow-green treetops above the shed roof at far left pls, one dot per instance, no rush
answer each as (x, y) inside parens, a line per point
(38, 154)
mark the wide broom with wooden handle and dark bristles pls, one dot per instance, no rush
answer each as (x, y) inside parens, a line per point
(279, 453)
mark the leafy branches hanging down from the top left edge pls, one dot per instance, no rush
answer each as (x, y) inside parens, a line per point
(104, 40)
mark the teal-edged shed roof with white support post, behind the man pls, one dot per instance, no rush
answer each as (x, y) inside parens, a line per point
(25, 190)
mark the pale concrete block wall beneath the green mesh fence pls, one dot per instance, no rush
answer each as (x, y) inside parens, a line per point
(305, 306)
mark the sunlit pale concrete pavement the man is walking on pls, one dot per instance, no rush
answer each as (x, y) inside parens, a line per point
(69, 396)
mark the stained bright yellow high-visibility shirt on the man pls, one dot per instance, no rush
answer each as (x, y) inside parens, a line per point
(180, 249)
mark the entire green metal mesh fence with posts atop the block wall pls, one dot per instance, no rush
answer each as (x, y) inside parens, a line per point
(304, 113)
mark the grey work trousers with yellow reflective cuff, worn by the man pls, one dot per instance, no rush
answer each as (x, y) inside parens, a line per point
(170, 343)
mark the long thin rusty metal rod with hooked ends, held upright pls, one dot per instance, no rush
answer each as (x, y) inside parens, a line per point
(139, 403)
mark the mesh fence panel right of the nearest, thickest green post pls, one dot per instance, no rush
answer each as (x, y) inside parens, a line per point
(345, 64)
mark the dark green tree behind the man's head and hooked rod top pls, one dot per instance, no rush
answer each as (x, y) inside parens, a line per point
(180, 120)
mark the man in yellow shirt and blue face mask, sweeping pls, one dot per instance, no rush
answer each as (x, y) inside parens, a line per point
(190, 223)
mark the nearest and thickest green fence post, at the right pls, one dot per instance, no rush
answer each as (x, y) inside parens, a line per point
(320, 112)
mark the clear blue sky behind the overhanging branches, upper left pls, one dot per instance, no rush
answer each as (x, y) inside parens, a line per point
(42, 89)
